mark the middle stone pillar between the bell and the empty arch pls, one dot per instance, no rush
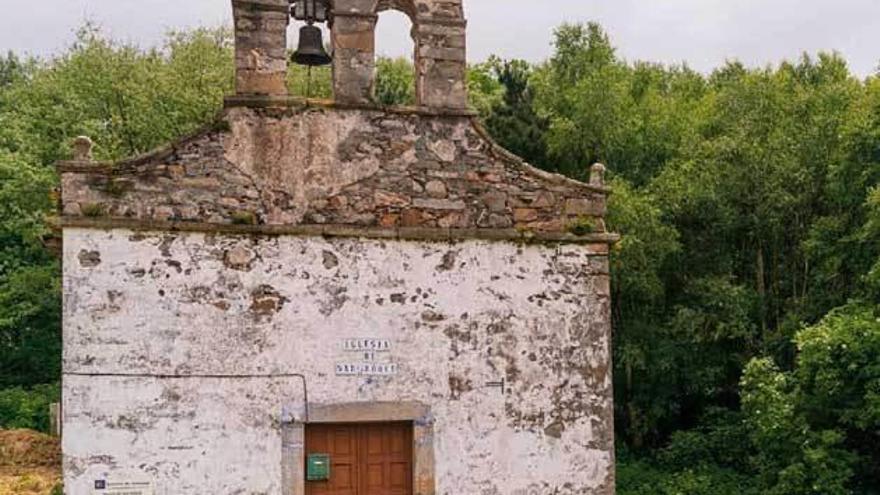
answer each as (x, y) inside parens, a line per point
(354, 46)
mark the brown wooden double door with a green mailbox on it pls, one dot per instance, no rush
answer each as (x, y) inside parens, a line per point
(365, 459)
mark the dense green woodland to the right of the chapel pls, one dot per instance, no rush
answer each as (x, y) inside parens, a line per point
(748, 202)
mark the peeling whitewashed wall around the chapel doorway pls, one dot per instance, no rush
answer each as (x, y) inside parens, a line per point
(457, 316)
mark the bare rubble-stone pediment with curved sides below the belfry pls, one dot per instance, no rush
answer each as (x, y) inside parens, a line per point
(288, 164)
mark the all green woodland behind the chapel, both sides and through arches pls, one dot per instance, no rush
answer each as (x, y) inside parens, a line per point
(745, 289)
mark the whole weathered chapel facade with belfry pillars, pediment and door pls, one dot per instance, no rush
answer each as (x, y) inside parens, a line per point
(312, 297)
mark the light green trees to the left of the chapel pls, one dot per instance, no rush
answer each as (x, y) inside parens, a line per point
(130, 101)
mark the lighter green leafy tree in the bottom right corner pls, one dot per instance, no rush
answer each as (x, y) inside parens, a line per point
(815, 430)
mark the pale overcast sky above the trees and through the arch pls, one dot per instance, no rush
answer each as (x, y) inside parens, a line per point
(702, 33)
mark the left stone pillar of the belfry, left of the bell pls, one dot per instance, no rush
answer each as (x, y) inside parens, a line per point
(261, 46)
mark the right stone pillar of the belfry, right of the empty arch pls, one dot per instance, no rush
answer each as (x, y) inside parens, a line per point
(441, 63)
